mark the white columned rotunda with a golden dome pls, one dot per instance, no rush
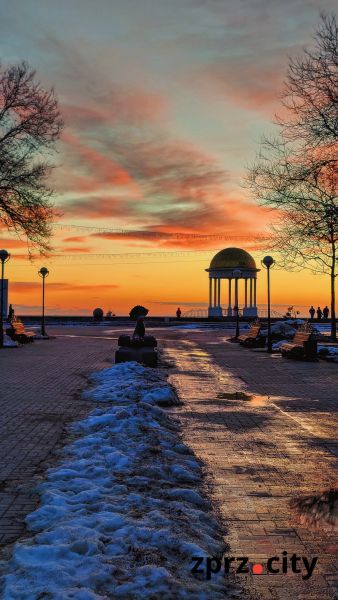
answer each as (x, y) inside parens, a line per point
(233, 264)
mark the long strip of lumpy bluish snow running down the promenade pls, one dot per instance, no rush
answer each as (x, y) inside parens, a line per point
(122, 515)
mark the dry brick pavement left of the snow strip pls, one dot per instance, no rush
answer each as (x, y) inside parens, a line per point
(39, 396)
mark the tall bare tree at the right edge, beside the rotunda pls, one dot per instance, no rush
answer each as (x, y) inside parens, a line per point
(297, 172)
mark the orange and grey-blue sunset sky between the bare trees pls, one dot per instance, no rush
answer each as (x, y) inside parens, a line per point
(164, 103)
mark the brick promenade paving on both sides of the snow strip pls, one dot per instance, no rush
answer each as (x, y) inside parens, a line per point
(258, 453)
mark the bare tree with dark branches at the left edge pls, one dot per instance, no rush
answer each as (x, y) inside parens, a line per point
(30, 124)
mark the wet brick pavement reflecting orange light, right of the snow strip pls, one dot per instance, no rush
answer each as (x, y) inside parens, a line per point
(260, 453)
